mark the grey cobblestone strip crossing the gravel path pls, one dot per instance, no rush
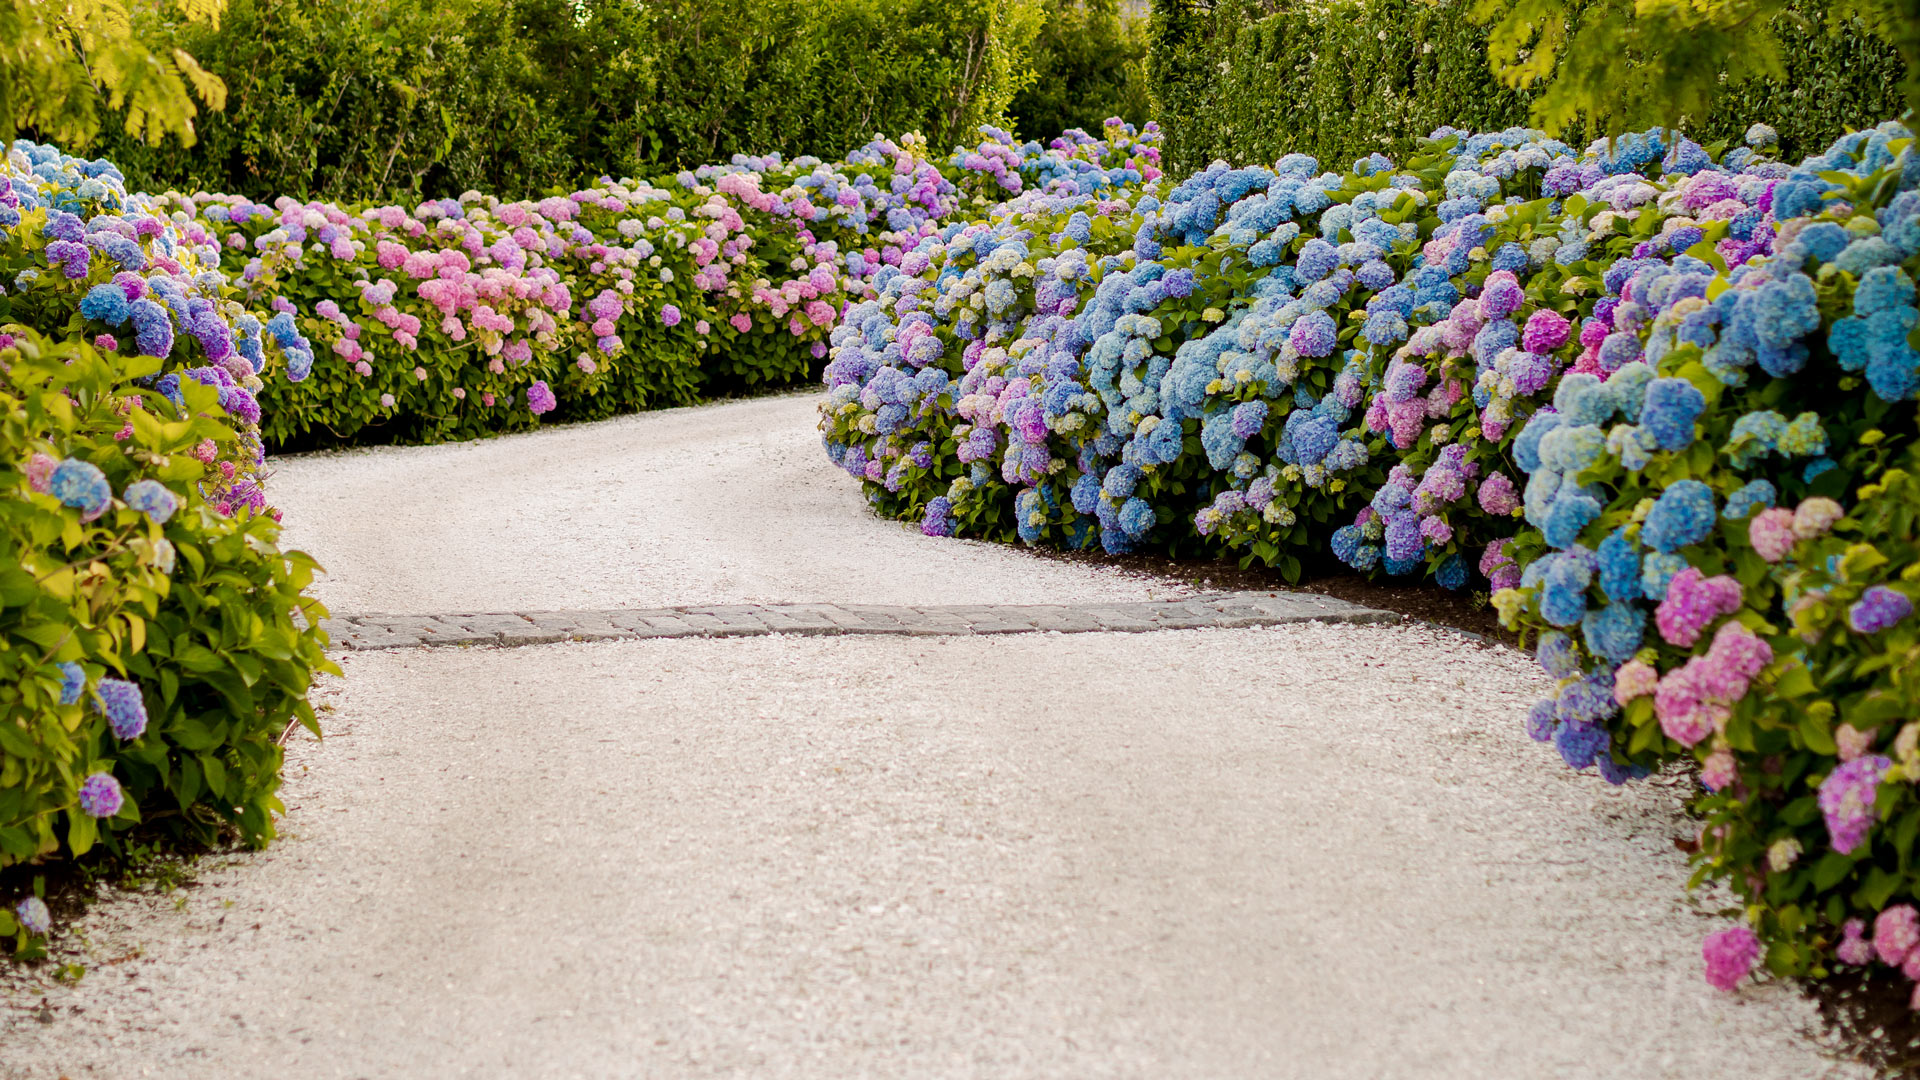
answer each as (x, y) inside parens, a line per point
(752, 620)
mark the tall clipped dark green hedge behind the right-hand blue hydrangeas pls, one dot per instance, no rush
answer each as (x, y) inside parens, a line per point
(1253, 80)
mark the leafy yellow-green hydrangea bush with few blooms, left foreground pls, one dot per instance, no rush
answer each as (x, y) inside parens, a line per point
(153, 641)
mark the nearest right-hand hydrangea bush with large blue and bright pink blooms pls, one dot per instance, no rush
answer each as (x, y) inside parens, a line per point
(1737, 583)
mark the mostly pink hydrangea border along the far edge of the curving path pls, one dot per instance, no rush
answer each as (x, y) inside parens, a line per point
(475, 316)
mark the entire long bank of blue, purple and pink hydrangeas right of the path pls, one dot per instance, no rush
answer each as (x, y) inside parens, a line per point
(1648, 395)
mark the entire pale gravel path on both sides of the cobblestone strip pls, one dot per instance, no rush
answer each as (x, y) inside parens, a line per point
(1257, 847)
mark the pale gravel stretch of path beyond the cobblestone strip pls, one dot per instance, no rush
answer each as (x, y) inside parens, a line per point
(715, 504)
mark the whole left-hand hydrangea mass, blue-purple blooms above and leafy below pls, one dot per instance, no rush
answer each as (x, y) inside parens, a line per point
(151, 647)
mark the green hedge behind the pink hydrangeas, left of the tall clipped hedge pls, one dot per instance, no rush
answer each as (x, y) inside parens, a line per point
(393, 99)
